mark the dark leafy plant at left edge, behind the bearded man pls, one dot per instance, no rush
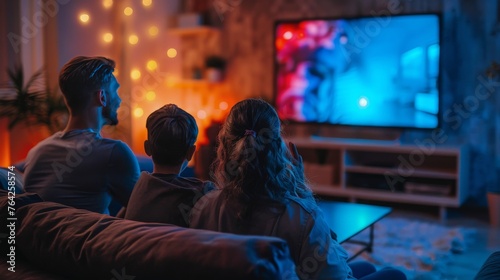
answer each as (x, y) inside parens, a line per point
(32, 103)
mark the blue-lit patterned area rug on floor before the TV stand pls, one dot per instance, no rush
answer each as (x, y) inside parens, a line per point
(421, 250)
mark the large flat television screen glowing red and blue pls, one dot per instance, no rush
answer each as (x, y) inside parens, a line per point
(371, 71)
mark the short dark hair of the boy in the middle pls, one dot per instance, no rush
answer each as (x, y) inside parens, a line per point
(171, 132)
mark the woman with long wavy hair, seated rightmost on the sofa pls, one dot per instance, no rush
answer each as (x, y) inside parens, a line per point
(264, 193)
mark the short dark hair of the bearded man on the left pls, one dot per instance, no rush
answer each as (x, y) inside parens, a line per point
(82, 75)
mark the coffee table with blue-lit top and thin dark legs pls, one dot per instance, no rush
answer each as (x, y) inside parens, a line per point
(349, 219)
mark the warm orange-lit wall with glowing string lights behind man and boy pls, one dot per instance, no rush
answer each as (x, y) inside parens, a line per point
(159, 79)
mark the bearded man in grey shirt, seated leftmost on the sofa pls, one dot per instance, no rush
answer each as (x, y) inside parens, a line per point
(77, 167)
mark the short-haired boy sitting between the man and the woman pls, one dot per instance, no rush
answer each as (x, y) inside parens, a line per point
(164, 196)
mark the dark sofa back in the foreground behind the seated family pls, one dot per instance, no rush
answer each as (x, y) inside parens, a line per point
(53, 241)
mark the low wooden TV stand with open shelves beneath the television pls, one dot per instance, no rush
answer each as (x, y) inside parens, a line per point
(386, 171)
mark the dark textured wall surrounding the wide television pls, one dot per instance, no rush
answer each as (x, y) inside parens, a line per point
(468, 47)
